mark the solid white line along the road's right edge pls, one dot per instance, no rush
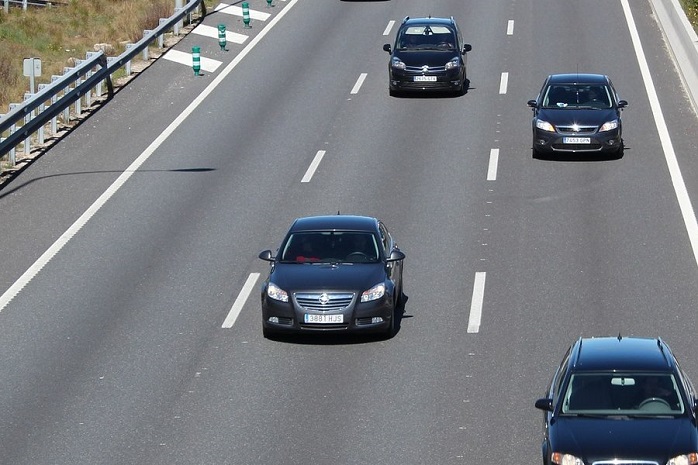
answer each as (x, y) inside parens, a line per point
(687, 212)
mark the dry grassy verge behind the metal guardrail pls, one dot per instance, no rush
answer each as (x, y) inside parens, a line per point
(60, 34)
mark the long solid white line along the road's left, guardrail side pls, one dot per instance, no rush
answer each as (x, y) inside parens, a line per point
(33, 270)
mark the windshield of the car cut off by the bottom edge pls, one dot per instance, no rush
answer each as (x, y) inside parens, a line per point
(622, 394)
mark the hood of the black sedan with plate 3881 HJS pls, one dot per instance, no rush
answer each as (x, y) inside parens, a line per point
(357, 277)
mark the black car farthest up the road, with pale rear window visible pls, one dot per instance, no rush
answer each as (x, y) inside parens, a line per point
(428, 55)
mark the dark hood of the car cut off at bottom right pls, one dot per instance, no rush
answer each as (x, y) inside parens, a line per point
(646, 438)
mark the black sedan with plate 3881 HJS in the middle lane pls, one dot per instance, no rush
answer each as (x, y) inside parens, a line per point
(340, 273)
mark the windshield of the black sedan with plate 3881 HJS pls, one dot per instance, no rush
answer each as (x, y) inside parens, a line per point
(331, 247)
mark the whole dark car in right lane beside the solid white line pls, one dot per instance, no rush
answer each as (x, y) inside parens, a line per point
(577, 114)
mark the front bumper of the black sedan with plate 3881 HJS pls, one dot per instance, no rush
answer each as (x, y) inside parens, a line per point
(365, 317)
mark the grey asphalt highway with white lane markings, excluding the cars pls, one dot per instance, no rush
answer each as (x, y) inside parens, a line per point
(127, 335)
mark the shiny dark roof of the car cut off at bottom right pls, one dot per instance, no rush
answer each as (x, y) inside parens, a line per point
(621, 354)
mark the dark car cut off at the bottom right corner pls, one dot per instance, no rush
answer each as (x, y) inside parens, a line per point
(619, 400)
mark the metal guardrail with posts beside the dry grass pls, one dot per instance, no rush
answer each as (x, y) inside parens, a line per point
(89, 74)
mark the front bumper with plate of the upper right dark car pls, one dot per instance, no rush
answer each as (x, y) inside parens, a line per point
(556, 142)
